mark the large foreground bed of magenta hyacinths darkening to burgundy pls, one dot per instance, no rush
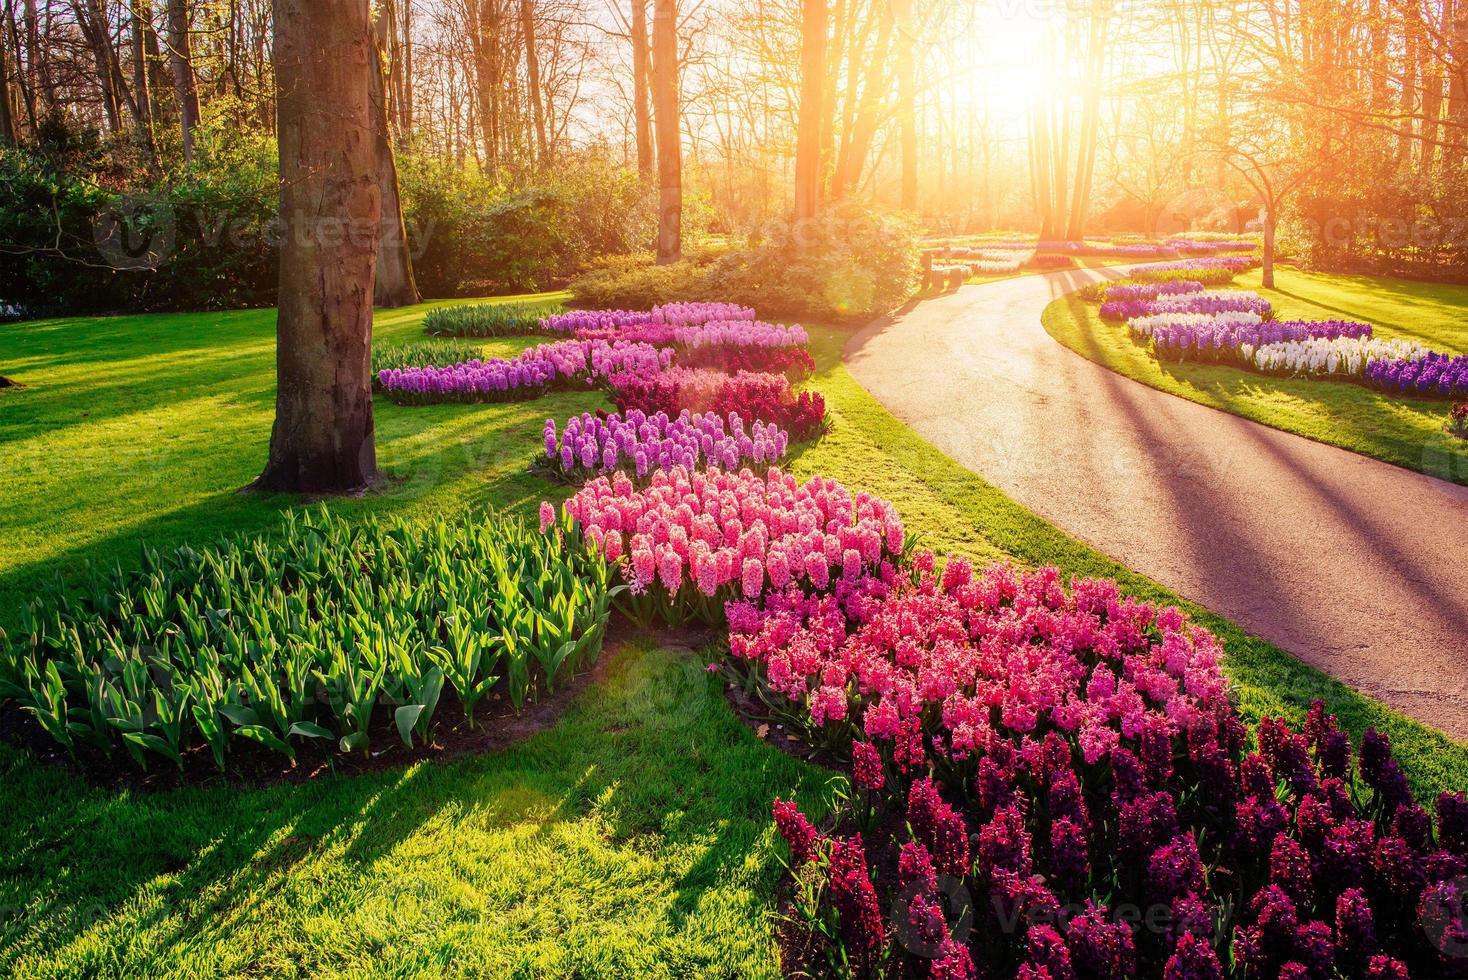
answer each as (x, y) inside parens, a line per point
(1056, 786)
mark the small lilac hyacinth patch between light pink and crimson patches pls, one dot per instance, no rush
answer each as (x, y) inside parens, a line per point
(641, 444)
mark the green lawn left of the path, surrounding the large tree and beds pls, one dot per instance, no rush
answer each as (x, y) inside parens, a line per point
(629, 840)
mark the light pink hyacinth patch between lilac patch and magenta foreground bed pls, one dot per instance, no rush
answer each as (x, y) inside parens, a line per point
(697, 539)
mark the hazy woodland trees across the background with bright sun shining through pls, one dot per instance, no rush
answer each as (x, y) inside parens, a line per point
(513, 122)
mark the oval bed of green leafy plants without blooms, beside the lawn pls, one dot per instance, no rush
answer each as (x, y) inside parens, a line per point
(310, 635)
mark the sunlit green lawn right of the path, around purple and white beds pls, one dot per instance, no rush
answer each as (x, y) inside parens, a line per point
(1407, 432)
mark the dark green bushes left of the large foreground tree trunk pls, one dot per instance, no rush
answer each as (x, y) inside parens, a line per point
(83, 235)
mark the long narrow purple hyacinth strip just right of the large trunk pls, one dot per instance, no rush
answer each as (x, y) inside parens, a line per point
(528, 375)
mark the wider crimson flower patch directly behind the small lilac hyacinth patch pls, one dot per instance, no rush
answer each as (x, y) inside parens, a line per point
(754, 395)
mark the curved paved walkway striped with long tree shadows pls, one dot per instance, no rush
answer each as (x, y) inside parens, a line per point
(1354, 566)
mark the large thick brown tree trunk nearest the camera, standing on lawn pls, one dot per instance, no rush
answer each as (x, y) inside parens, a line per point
(331, 209)
